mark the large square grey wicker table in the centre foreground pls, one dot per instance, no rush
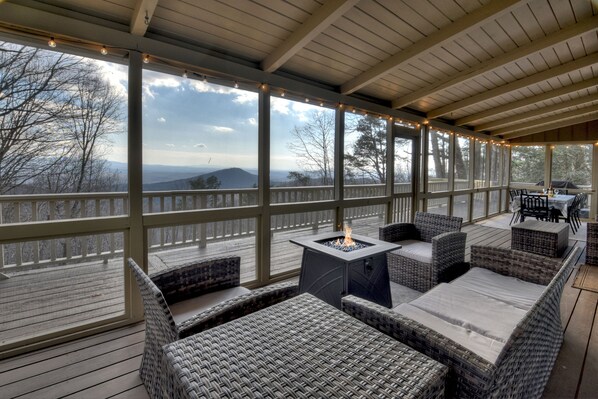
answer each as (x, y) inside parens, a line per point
(300, 348)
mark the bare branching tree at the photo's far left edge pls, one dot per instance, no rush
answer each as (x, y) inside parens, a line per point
(33, 97)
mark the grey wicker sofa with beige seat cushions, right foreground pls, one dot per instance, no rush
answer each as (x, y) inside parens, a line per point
(521, 365)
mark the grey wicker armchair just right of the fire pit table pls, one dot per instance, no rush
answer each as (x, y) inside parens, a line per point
(444, 253)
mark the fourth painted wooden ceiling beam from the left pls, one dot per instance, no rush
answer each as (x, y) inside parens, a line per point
(550, 40)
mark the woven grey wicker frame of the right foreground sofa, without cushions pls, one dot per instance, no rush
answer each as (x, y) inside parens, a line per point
(524, 366)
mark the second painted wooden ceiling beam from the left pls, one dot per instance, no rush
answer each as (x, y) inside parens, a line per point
(324, 16)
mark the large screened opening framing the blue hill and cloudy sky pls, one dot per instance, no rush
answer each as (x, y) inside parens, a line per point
(201, 138)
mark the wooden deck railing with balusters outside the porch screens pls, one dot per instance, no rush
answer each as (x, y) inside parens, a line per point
(45, 207)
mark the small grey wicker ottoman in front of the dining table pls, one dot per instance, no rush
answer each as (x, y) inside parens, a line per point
(542, 238)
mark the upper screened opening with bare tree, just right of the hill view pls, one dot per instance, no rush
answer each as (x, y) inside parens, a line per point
(301, 151)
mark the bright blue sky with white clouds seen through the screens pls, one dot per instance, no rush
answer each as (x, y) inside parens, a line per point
(189, 122)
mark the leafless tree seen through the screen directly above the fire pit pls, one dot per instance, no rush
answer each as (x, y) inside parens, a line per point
(313, 144)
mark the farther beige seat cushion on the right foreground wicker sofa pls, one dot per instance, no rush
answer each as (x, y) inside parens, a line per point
(511, 290)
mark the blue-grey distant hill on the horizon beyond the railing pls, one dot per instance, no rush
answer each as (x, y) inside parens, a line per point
(229, 178)
